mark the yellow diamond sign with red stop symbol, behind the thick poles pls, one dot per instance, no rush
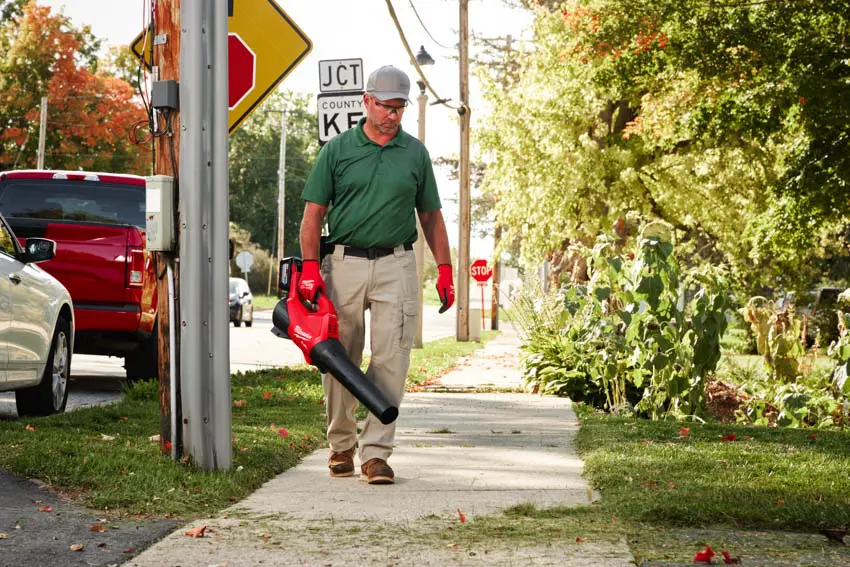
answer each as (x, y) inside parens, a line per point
(264, 46)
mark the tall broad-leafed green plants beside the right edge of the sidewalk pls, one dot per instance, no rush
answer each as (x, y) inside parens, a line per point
(638, 336)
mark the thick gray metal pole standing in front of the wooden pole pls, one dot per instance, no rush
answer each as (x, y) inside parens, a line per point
(204, 357)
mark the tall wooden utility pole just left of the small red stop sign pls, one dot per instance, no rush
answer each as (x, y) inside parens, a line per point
(463, 170)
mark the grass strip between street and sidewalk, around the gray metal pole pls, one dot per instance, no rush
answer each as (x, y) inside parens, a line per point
(107, 459)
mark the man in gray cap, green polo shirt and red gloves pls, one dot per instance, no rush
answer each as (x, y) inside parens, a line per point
(371, 181)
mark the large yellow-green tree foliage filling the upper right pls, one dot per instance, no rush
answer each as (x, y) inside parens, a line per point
(726, 120)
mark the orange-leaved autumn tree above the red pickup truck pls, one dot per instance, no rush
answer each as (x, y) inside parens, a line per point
(91, 113)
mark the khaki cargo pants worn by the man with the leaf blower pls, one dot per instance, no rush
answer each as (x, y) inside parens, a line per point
(388, 288)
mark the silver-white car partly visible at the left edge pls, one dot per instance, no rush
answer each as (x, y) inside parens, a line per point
(36, 326)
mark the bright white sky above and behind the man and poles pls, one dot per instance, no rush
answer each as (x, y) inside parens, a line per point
(347, 29)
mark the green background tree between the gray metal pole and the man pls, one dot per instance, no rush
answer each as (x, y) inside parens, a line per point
(254, 158)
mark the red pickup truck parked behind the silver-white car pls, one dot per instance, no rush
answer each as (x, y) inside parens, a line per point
(98, 222)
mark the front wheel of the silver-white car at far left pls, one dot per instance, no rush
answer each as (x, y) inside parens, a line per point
(51, 394)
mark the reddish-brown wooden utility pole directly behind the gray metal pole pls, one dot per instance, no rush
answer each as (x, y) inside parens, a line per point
(166, 61)
